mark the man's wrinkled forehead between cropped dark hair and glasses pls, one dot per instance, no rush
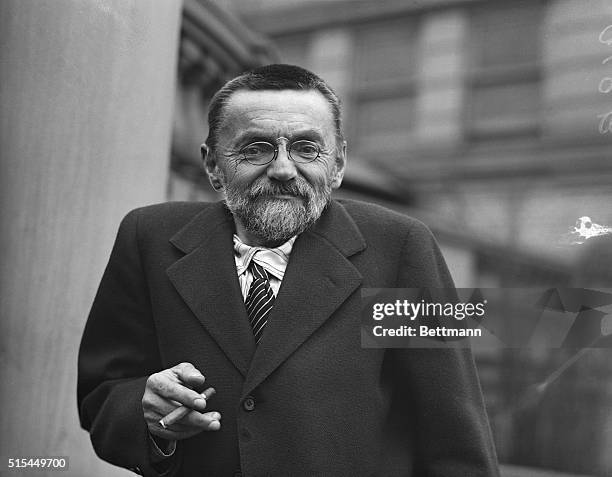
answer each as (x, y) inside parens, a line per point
(278, 112)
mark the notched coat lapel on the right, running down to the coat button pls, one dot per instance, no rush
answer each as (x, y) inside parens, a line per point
(319, 278)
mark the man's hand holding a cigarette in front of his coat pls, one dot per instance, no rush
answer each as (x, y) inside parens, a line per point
(173, 387)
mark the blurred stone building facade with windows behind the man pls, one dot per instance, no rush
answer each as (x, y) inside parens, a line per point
(485, 119)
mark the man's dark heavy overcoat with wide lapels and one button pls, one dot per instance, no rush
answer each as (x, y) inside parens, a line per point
(323, 405)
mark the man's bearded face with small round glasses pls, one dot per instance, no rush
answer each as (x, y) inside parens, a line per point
(275, 201)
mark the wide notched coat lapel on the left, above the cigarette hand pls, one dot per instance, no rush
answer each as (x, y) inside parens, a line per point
(206, 279)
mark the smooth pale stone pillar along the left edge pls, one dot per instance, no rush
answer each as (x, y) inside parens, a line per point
(86, 95)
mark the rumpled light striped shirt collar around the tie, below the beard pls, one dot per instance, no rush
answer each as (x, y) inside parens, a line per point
(274, 260)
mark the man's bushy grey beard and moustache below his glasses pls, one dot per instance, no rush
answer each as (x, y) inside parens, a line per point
(275, 221)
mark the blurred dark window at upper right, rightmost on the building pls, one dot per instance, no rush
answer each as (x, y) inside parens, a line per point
(504, 76)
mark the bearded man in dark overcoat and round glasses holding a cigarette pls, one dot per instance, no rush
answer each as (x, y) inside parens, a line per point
(258, 297)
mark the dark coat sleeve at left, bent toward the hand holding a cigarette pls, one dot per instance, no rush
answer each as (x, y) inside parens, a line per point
(117, 354)
